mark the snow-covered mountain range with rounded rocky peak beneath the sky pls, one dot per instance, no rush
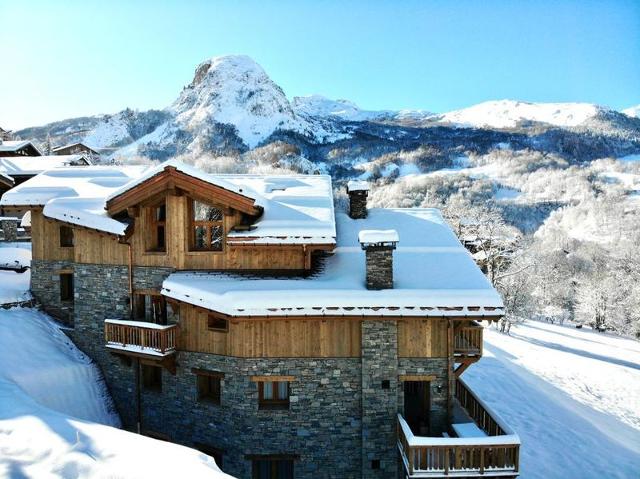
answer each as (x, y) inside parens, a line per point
(232, 106)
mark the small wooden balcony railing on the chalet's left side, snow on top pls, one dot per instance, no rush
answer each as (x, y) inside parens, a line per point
(140, 337)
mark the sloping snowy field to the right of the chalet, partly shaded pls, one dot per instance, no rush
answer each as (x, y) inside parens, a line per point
(572, 395)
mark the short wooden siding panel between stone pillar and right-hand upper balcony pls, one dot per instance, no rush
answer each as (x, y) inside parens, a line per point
(422, 338)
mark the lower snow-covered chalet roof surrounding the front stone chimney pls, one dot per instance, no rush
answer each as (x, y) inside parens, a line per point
(434, 276)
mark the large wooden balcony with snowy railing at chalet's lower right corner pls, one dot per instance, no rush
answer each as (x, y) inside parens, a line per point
(492, 452)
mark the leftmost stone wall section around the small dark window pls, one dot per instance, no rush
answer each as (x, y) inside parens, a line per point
(45, 287)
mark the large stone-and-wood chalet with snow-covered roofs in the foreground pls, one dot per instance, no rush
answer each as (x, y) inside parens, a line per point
(243, 316)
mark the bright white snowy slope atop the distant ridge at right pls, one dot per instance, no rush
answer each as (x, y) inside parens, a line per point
(508, 113)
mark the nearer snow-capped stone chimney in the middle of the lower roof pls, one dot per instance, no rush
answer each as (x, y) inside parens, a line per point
(378, 246)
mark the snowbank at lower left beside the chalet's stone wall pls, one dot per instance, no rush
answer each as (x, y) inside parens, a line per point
(56, 418)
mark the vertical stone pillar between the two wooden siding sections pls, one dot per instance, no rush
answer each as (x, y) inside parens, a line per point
(379, 398)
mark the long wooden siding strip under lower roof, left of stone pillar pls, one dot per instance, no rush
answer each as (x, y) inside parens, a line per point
(269, 338)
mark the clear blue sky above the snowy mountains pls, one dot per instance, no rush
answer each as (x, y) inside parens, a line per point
(64, 59)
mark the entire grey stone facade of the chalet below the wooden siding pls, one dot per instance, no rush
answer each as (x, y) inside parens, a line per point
(341, 422)
